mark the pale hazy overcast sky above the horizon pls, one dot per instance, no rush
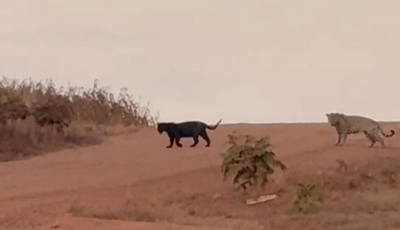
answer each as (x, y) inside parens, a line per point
(242, 61)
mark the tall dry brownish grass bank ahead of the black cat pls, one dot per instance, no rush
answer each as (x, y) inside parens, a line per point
(37, 117)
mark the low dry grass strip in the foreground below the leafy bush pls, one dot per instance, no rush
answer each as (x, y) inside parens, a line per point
(364, 196)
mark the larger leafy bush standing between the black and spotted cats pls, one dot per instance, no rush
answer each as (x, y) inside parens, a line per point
(249, 161)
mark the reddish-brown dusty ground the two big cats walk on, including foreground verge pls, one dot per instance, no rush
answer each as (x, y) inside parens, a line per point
(134, 182)
